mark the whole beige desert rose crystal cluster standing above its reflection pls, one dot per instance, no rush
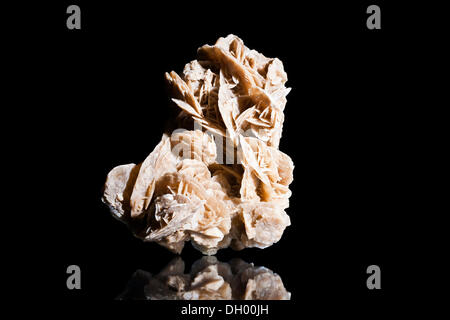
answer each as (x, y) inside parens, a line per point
(218, 180)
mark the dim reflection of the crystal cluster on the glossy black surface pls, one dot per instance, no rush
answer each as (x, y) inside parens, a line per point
(208, 279)
